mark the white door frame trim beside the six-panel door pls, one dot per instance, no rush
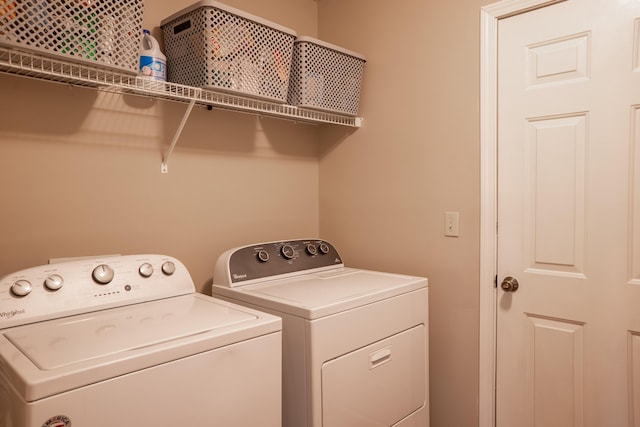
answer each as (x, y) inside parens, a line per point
(489, 17)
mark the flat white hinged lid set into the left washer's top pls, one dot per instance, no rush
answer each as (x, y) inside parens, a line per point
(64, 342)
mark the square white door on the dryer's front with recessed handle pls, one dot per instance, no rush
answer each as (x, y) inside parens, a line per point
(378, 385)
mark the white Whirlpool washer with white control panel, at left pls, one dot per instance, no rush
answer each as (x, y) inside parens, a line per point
(127, 341)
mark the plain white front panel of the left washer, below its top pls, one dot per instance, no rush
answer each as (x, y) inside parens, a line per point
(202, 389)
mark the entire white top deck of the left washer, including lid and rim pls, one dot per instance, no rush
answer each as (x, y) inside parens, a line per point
(54, 356)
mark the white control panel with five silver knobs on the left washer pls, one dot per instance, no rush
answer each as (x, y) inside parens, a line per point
(89, 284)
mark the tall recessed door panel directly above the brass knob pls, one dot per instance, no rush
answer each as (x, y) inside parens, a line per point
(555, 210)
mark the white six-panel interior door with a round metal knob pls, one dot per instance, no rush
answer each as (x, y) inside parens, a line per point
(568, 339)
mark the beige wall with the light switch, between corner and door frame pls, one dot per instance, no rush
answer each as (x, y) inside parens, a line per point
(384, 190)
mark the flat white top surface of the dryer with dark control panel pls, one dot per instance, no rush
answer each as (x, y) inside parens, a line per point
(321, 294)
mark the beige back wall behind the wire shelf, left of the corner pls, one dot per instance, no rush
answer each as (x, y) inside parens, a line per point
(80, 169)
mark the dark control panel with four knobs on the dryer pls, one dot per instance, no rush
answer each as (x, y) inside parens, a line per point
(260, 261)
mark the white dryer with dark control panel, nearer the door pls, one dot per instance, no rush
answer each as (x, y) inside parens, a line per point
(355, 342)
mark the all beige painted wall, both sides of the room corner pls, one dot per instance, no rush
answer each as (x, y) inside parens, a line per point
(80, 170)
